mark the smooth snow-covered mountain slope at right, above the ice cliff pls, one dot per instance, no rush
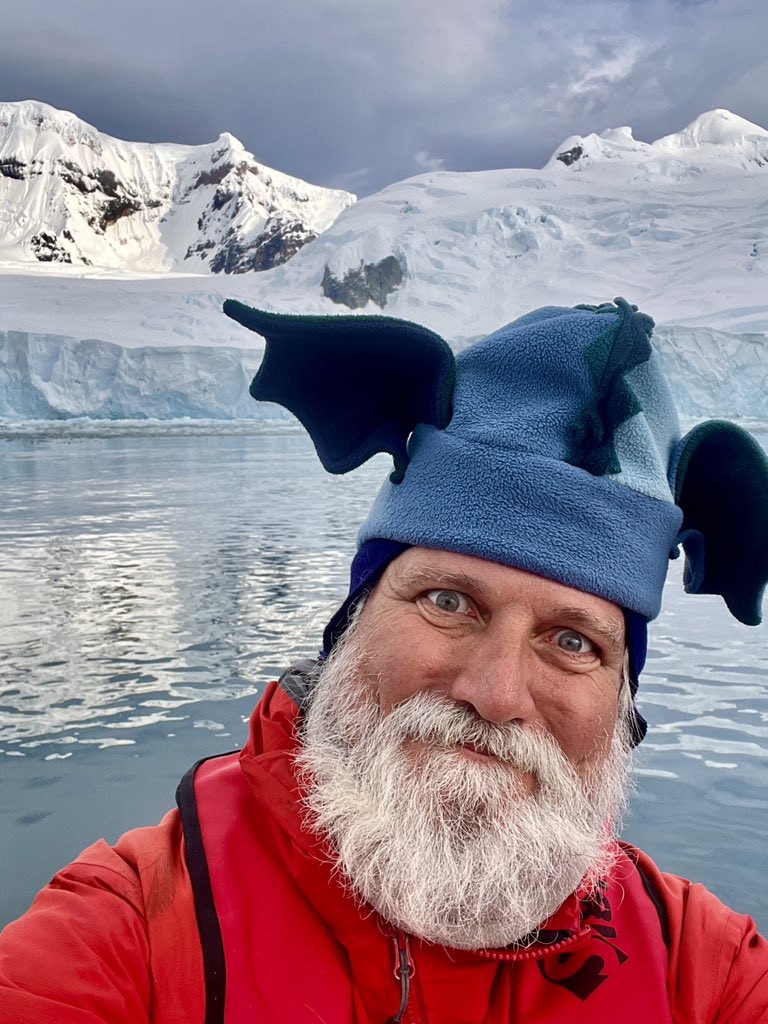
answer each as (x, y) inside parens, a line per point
(679, 226)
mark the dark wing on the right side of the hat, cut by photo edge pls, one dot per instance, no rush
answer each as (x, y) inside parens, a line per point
(719, 478)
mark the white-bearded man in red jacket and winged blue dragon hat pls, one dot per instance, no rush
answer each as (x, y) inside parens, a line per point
(422, 827)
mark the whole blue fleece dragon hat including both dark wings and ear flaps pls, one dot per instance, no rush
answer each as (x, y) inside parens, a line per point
(551, 446)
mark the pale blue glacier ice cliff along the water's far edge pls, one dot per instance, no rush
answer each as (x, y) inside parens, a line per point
(48, 377)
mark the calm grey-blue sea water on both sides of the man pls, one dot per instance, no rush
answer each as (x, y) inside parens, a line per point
(153, 580)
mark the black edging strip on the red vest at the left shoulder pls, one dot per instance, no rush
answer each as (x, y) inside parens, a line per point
(205, 909)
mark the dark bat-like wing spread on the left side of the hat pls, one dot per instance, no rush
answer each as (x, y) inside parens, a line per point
(359, 385)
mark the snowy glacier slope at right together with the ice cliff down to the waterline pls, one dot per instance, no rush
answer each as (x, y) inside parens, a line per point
(679, 227)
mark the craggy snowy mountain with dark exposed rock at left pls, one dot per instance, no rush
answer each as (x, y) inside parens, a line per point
(72, 195)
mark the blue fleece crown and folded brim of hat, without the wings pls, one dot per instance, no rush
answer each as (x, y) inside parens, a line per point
(500, 483)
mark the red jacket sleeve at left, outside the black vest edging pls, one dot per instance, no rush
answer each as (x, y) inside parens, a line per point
(111, 941)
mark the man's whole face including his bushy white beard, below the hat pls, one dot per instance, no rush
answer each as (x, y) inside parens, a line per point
(463, 751)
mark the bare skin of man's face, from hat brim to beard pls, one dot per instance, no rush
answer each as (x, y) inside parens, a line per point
(514, 647)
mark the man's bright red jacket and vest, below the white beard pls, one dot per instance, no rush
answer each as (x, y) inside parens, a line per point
(115, 937)
